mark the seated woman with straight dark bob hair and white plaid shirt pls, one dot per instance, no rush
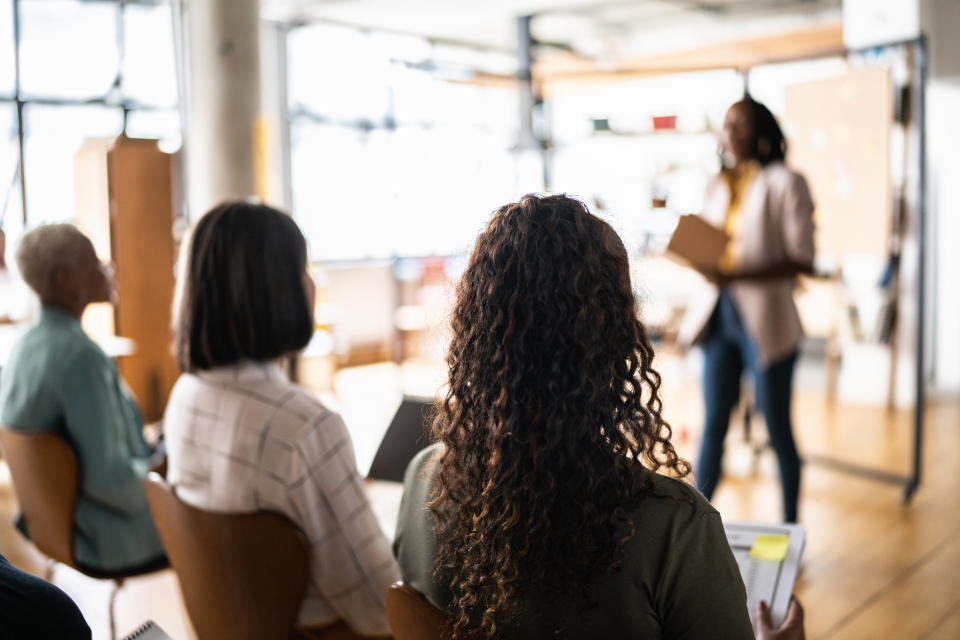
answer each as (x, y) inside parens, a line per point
(241, 437)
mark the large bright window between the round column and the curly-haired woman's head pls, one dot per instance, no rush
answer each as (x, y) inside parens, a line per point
(394, 153)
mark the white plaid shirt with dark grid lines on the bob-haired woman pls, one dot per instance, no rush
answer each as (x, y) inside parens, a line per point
(244, 438)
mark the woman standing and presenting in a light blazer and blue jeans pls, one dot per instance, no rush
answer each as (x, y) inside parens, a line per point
(751, 322)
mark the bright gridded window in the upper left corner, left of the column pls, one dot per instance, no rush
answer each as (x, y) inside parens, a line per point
(73, 70)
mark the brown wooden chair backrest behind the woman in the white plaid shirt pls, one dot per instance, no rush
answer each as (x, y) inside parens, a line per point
(243, 575)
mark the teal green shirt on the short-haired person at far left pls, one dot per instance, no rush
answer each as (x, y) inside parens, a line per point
(57, 379)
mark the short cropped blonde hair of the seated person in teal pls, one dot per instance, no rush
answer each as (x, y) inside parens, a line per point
(44, 250)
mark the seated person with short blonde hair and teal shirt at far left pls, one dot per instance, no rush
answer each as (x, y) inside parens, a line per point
(57, 379)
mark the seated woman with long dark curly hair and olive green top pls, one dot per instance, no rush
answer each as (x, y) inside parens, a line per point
(541, 512)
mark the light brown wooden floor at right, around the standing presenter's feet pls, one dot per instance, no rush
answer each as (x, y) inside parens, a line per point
(873, 567)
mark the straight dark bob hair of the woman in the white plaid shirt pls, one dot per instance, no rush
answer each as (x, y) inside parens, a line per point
(241, 292)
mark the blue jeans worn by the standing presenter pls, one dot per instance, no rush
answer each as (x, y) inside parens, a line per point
(727, 351)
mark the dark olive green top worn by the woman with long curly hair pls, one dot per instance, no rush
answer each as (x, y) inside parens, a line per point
(678, 579)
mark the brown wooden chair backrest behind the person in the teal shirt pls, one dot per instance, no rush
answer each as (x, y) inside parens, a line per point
(44, 471)
